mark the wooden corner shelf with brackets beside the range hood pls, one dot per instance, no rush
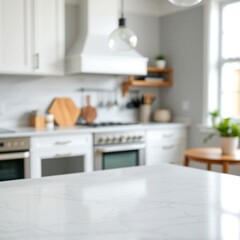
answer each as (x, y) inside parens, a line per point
(146, 83)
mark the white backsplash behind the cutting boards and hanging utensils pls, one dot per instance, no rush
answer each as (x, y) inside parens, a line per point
(20, 95)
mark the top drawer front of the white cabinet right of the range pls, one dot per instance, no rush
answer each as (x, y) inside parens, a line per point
(165, 135)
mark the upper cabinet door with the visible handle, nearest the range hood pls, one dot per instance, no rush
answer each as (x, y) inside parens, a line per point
(49, 37)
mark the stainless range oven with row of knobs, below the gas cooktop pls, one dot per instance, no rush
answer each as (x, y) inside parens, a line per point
(119, 149)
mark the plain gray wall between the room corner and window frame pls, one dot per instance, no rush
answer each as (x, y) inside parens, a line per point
(182, 43)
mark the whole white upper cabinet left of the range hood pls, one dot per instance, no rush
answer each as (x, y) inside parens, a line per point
(32, 37)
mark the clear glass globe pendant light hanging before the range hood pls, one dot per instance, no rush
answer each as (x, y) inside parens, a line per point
(123, 38)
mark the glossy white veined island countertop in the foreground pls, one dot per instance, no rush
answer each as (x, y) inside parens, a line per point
(141, 203)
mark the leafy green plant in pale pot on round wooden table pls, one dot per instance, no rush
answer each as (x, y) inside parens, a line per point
(229, 135)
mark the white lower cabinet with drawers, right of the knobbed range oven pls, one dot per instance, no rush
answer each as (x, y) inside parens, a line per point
(165, 146)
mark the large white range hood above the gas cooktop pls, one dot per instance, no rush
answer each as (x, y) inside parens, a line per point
(90, 52)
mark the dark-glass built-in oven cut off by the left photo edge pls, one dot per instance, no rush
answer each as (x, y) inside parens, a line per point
(14, 158)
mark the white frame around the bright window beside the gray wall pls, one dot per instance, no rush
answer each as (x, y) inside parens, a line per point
(212, 56)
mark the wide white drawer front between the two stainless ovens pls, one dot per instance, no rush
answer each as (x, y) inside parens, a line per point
(60, 141)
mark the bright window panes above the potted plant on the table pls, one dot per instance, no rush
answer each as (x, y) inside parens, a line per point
(229, 64)
